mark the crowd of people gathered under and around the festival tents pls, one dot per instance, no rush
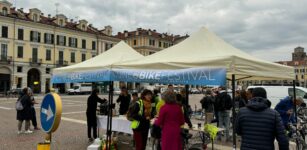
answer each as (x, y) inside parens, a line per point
(255, 121)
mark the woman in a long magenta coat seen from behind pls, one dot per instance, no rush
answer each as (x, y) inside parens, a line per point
(170, 119)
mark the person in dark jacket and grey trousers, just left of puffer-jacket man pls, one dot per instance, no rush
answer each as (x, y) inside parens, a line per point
(224, 104)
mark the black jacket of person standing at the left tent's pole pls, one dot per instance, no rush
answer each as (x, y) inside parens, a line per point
(92, 101)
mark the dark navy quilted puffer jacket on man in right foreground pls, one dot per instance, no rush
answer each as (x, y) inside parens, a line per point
(259, 126)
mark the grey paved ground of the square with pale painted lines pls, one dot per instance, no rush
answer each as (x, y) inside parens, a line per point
(71, 134)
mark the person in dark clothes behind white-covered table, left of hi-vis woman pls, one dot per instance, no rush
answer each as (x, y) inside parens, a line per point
(124, 100)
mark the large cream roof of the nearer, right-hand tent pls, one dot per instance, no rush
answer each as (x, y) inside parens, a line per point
(205, 49)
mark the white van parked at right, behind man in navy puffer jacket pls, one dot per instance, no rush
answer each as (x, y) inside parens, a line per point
(276, 93)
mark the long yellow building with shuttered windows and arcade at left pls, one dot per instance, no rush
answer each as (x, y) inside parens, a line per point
(32, 44)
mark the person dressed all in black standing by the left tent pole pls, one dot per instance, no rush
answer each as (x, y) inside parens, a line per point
(92, 101)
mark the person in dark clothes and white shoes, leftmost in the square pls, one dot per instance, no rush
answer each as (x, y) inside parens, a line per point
(26, 113)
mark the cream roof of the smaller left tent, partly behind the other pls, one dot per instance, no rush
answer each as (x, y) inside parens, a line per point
(120, 52)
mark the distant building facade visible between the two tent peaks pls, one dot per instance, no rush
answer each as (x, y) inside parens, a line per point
(148, 42)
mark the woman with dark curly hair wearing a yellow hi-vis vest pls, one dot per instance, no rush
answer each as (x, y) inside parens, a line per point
(141, 115)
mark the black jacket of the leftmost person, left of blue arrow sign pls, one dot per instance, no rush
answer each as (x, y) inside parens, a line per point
(26, 113)
